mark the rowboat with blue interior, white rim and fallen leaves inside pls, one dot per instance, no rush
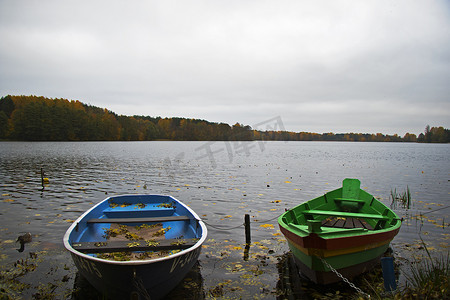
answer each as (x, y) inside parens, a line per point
(138, 246)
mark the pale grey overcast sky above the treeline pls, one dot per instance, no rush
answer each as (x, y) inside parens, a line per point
(321, 66)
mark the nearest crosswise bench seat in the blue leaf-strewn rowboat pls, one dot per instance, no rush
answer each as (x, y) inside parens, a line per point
(127, 246)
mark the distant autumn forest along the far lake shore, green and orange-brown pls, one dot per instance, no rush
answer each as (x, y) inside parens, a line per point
(32, 118)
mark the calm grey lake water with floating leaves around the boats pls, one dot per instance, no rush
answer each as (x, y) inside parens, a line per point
(221, 181)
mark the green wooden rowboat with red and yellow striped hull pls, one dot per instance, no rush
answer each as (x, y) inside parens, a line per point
(346, 229)
